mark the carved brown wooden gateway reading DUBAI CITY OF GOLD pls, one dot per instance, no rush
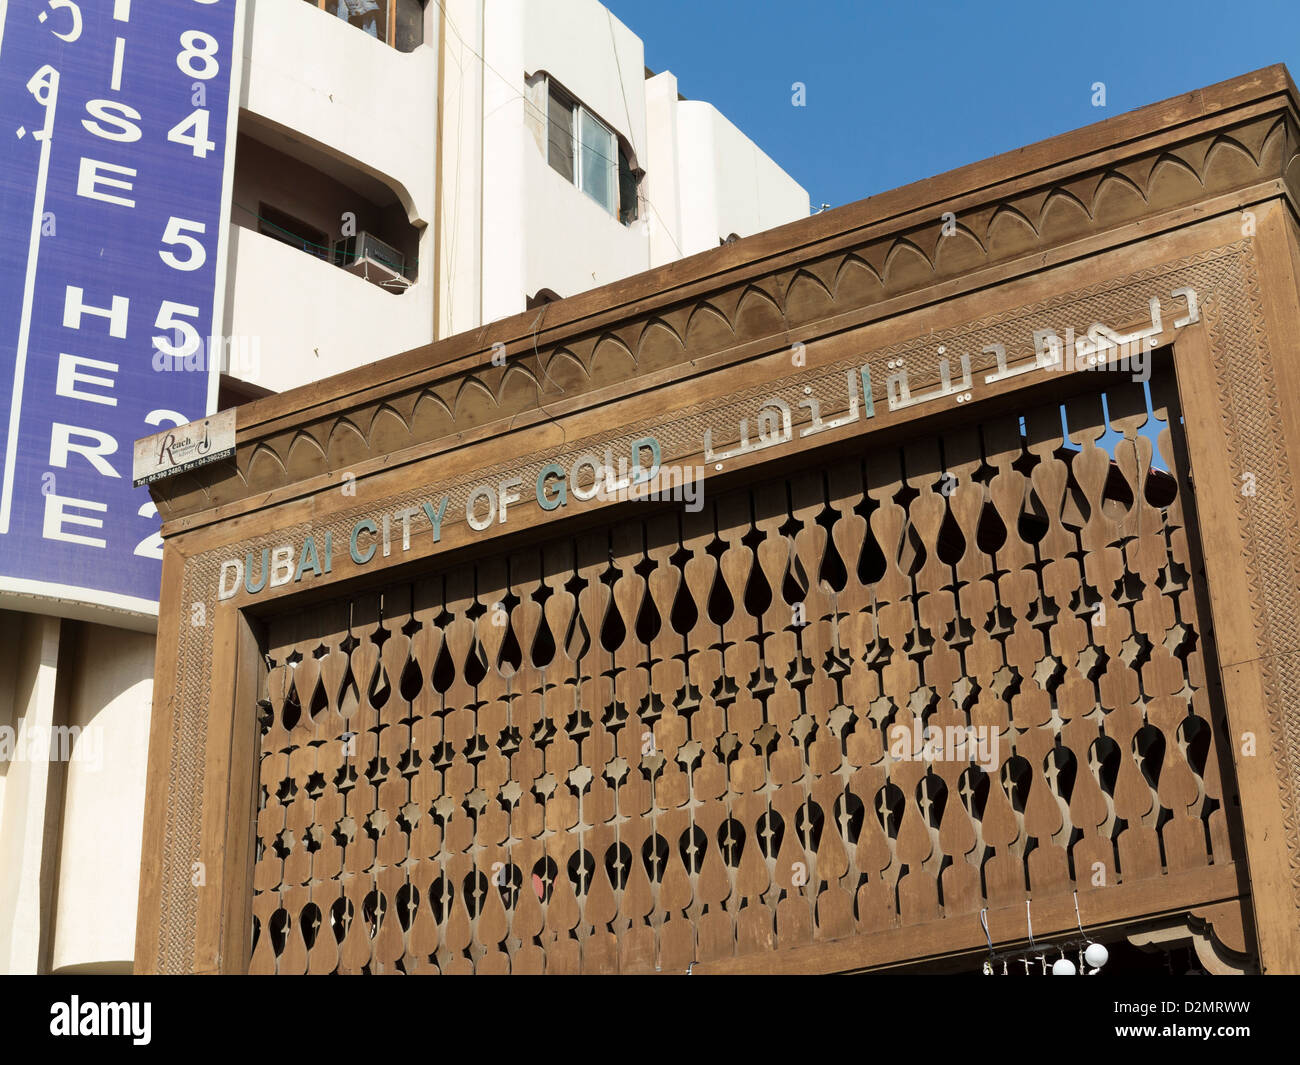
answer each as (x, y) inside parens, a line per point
(894, 590)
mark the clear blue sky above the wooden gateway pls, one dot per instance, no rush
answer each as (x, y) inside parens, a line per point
(900, 92)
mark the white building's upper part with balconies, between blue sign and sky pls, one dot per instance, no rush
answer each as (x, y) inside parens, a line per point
(552, 163)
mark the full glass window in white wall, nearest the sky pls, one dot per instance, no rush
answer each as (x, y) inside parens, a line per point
(587, 153)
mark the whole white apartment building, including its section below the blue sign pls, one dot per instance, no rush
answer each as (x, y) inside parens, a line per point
(405, 171)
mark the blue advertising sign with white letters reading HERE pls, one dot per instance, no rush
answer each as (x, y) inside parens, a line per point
(115, 170)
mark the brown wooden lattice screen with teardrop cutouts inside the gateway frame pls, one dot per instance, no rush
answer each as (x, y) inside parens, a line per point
(632, 752)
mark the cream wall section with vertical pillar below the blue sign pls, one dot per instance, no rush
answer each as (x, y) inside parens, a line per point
(72, 807)
